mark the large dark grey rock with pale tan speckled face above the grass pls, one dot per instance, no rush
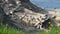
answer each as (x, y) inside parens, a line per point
(25, 15)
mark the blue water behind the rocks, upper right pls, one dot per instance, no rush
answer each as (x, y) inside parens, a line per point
(47, 3)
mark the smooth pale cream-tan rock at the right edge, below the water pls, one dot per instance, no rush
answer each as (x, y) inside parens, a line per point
(55, 12)
